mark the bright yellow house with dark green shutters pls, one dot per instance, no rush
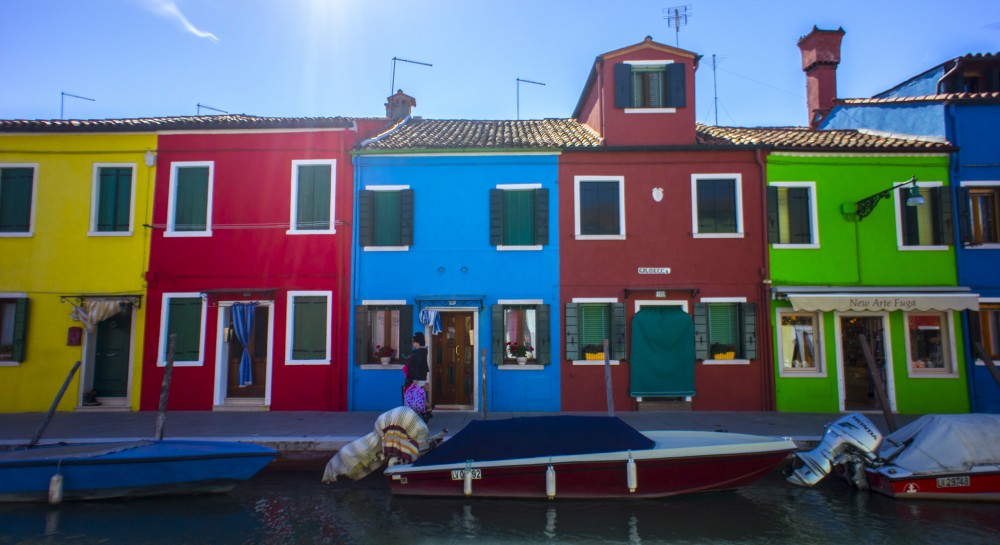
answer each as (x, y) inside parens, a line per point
(74, 197)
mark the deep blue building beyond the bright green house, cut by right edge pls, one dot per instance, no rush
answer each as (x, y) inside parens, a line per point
(957, 101)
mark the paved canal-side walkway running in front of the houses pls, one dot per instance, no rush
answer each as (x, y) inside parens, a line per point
(312, 435)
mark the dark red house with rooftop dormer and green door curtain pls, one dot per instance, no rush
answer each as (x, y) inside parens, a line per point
(663, 246)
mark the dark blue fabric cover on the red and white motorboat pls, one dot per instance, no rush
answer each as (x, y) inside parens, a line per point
(536, 436)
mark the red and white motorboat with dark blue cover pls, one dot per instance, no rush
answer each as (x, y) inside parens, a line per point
(585, 457)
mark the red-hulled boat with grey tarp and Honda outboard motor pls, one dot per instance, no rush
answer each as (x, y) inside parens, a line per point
(944, 457)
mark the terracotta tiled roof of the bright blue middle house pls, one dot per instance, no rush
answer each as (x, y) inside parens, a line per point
(438, 134)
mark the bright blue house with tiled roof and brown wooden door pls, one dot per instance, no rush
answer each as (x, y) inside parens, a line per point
(455, 236)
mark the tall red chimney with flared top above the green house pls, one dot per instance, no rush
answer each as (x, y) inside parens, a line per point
(820, 57)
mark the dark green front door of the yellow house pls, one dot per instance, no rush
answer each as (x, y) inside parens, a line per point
(114, 338)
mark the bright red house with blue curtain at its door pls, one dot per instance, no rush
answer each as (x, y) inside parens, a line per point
(249, 265)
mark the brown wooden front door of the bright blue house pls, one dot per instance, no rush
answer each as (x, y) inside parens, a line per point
(453, 359)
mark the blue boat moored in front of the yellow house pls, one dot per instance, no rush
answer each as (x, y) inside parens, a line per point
(86, 471)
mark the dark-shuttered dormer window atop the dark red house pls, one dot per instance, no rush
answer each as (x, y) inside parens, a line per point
(650, 86)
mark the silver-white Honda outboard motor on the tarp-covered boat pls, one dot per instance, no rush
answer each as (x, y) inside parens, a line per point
(852, 432)
